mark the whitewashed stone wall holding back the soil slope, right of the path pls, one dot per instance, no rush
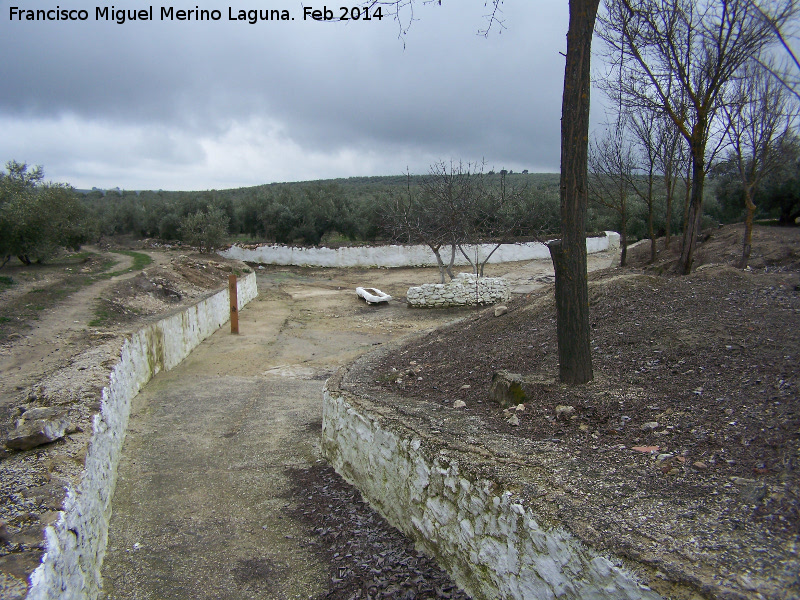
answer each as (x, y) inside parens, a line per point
(491, 544)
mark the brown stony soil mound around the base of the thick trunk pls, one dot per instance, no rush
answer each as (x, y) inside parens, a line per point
(695, 401)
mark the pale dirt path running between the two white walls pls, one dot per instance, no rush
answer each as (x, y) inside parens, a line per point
(205, 505)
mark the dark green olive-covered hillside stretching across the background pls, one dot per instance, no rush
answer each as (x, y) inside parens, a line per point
(37, 218)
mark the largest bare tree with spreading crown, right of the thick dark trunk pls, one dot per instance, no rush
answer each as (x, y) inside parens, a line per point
(690, 50)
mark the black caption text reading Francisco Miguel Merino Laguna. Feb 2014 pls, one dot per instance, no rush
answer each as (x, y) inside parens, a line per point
(170, 13)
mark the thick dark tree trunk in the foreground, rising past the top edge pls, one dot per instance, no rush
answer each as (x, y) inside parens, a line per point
(569, 253)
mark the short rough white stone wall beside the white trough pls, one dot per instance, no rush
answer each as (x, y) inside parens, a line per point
(465, 290)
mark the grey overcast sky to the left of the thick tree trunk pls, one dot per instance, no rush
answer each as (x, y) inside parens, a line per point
(194, 105)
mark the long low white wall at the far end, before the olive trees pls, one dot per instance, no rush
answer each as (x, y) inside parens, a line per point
(399, 256)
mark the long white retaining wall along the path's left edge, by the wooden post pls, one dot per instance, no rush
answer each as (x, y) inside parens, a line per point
(76, 543)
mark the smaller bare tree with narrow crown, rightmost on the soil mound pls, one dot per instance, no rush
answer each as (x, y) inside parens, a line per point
(760, 114)
